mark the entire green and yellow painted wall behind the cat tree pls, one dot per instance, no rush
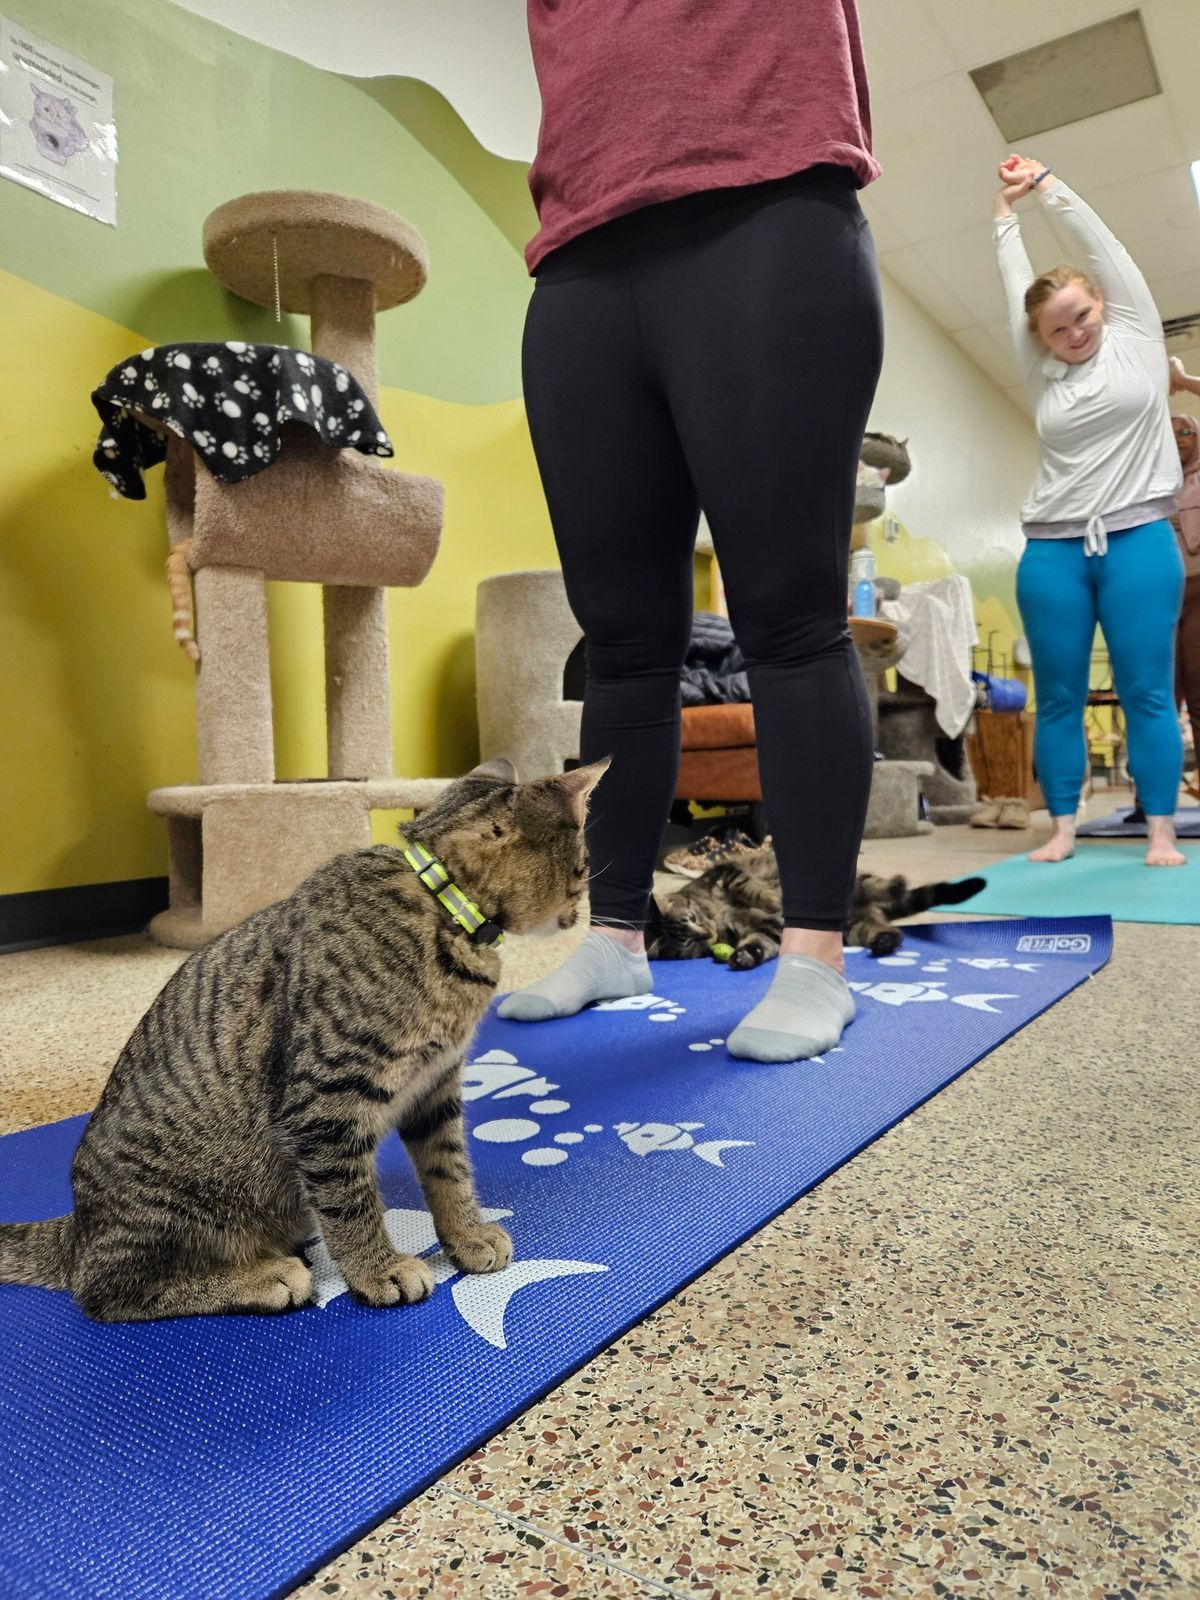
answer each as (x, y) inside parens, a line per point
(98, 703)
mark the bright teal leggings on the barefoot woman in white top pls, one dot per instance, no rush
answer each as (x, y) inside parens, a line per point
(1135, 594)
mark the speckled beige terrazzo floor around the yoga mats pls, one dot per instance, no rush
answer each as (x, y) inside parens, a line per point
(967, 1364)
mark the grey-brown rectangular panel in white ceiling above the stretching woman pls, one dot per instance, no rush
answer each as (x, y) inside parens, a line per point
(1070, 79)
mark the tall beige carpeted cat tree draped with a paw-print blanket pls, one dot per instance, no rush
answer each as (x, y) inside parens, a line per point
(321, 513)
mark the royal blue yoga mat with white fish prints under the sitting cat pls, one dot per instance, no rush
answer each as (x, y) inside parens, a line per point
(228, 1458)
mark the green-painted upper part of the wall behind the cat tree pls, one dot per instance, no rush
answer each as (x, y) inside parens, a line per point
(204, 116)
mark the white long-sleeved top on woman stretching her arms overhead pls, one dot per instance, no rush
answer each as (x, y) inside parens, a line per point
(1108, 455)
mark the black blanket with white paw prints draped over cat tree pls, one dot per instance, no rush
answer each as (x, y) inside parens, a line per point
(230, 402)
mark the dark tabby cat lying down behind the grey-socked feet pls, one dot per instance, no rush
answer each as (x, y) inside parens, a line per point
(734, 911)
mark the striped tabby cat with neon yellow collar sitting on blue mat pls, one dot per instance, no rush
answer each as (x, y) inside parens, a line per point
(246, 1111)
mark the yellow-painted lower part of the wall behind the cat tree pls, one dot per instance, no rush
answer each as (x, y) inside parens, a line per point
(97, 705)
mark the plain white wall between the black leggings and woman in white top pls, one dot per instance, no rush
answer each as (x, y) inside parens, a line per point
(974, 450)
